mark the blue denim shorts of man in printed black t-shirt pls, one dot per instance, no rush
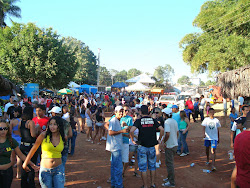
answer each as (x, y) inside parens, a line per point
(146, 157)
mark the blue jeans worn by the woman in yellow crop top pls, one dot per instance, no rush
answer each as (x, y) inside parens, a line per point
(52, 177)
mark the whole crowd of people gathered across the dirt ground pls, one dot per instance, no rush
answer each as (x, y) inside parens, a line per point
(39, 133)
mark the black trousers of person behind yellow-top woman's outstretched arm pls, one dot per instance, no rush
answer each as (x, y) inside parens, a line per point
(28, 178)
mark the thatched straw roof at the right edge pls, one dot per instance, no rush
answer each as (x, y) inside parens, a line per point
(235, 83)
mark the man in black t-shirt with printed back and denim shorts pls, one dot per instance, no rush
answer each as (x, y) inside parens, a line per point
(146, 140)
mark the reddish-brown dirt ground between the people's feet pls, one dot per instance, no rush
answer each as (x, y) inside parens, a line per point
(90, 166)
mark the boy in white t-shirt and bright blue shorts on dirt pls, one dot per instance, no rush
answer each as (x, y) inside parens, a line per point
(211, 135)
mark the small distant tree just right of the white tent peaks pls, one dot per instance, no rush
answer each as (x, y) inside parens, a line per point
(163, 74)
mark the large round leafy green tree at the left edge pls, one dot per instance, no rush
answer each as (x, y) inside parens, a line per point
(29, 54)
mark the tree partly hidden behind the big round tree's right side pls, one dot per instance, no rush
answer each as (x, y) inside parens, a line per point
(87, 70)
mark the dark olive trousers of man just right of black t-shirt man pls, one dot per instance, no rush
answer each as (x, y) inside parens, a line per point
(169, 160)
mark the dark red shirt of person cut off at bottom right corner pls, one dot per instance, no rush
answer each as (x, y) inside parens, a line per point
(242, 158)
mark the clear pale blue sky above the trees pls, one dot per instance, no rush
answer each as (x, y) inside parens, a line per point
(140, 34)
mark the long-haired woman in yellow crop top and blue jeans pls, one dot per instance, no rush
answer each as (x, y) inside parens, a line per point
(52, 142)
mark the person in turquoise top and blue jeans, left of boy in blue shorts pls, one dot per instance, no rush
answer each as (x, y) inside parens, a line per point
(184, 126)
